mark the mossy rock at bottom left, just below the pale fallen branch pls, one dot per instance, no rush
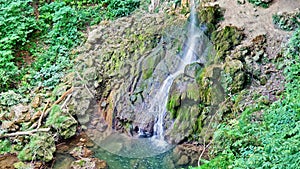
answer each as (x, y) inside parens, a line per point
(40, 147)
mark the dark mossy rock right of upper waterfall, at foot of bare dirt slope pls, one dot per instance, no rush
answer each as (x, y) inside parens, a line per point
(225, 40)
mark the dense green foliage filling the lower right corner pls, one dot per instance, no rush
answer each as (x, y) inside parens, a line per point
(272, 141)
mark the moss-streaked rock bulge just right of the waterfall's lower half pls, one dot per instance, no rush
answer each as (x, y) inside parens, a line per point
(183, 106)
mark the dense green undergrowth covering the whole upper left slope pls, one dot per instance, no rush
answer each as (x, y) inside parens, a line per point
(47, 34)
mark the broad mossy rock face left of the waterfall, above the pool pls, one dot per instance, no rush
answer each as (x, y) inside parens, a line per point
(117, 66)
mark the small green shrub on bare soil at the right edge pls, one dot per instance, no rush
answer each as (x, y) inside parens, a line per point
(287, 21)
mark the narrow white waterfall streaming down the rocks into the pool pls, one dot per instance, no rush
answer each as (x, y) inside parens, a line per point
(189, 56)
